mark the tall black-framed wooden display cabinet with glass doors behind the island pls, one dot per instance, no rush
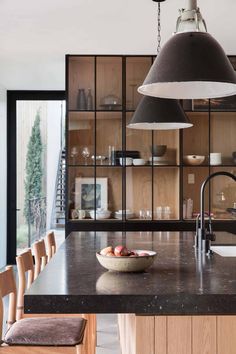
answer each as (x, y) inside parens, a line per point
(101, 98)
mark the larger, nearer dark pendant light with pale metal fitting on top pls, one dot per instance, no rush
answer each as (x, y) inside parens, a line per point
(192, 64)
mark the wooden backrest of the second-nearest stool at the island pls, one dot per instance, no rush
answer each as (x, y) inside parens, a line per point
(25, 267)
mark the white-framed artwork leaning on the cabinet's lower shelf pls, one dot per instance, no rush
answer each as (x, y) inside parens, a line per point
(85, 193)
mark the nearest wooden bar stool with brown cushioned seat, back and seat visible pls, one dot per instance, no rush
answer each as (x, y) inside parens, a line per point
(38, 335)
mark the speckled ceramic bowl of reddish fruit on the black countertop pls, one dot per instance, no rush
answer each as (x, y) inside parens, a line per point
(121, 259)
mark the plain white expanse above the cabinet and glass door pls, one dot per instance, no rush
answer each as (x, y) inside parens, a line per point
(36, 35)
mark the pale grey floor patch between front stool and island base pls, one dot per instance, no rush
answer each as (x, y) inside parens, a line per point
(107, 335)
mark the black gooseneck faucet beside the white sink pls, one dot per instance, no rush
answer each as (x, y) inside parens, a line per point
(203, 238)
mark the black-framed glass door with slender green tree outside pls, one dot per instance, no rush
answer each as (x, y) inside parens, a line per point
(36, 168)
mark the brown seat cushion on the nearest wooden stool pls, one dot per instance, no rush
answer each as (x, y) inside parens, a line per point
(46, 331)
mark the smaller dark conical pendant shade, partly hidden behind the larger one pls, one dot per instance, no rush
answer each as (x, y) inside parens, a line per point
(159, 114)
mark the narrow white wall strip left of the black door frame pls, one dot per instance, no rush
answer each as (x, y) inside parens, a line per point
(3, 176)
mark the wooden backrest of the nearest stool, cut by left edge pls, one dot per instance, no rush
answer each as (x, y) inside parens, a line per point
(8, 287)
